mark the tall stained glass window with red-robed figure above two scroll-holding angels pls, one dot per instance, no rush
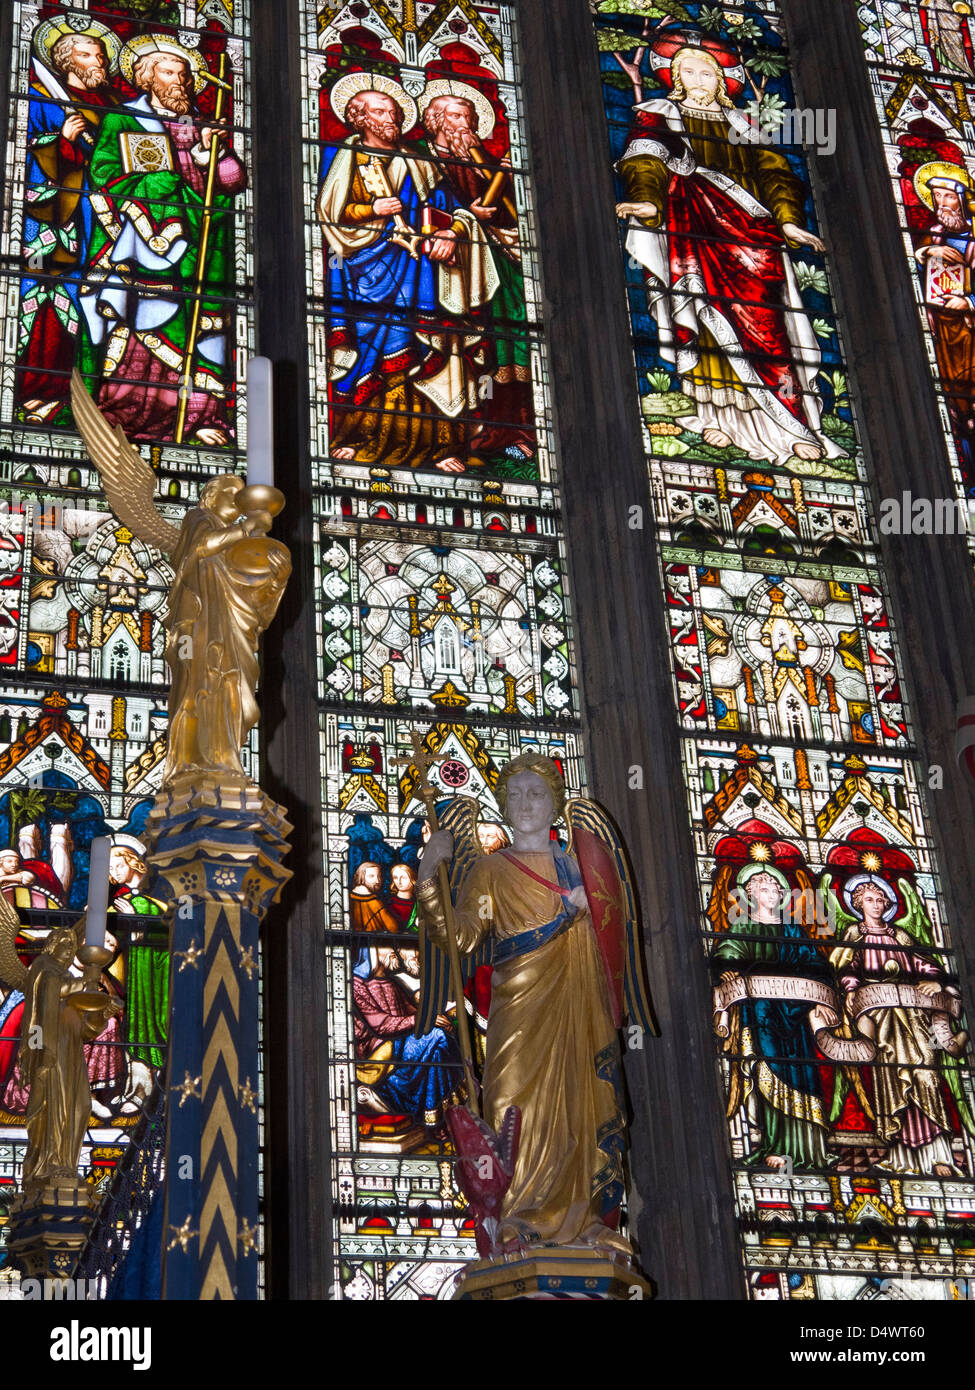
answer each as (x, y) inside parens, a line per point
(835, 1001)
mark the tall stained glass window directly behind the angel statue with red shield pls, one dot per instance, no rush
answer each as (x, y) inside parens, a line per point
(442, 580)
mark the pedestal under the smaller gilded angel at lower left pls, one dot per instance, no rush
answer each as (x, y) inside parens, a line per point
(48, 1228)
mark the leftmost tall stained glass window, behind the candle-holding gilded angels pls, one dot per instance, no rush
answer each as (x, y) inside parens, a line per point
(129, 255)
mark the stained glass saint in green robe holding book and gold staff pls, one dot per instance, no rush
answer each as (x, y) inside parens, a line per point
(152, 165)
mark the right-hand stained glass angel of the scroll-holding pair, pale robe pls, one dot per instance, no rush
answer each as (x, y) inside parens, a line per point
(919, 1099)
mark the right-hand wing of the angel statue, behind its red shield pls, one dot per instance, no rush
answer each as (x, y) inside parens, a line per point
(589, 818)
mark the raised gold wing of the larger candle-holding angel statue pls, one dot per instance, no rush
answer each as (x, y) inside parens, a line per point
(127, 479)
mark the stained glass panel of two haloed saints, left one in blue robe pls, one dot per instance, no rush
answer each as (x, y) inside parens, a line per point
(428, 354)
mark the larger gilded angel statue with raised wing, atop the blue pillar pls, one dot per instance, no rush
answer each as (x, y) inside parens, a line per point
(230, 578)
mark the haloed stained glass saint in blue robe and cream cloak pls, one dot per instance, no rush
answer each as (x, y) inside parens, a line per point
(404, 350)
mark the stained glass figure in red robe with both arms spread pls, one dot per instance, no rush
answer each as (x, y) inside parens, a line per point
(711, 220)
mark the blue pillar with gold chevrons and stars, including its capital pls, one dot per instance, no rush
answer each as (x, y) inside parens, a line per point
(220, 849)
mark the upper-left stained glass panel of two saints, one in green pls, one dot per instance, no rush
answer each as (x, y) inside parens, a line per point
(134, 241)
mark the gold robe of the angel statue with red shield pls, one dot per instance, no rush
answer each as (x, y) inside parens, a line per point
(551, 1050)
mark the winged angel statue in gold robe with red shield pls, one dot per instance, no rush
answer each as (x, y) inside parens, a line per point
(560, 929)
